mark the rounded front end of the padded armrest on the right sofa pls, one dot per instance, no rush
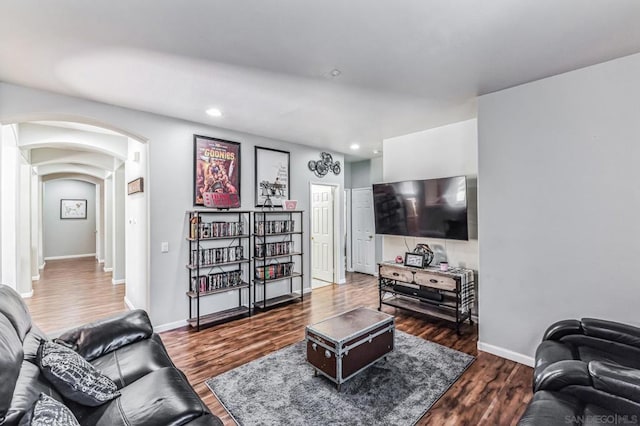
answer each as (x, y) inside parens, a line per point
(561, 374)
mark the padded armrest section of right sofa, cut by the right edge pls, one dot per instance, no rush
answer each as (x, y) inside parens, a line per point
(616, 380)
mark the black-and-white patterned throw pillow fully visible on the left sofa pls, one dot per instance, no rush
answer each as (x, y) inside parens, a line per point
(73, 376)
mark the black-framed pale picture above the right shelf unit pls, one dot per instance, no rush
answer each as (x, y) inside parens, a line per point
(272, 177)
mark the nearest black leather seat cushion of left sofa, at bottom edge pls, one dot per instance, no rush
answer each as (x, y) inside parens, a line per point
(161, 397)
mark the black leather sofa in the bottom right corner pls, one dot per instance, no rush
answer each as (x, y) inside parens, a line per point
(586, 372)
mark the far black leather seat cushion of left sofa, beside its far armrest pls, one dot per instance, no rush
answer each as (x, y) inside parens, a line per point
(129, 363)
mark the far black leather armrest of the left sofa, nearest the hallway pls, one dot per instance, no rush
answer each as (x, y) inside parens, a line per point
(101, 337)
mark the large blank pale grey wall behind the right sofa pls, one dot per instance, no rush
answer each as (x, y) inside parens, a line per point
(559, 197)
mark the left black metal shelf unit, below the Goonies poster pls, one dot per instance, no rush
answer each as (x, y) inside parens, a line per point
(218, 263)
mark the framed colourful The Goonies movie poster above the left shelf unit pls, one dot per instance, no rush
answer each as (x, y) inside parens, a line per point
(216, 172)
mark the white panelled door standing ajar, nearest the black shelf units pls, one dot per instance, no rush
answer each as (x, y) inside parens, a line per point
(322, 232)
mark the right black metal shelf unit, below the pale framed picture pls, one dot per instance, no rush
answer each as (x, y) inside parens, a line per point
(277, 244)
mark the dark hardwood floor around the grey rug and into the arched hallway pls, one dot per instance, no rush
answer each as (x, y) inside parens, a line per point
(493, 391)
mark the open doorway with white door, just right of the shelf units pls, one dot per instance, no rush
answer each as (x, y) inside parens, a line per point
(324, 264)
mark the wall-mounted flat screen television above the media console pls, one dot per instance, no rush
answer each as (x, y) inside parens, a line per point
(434, 208)
